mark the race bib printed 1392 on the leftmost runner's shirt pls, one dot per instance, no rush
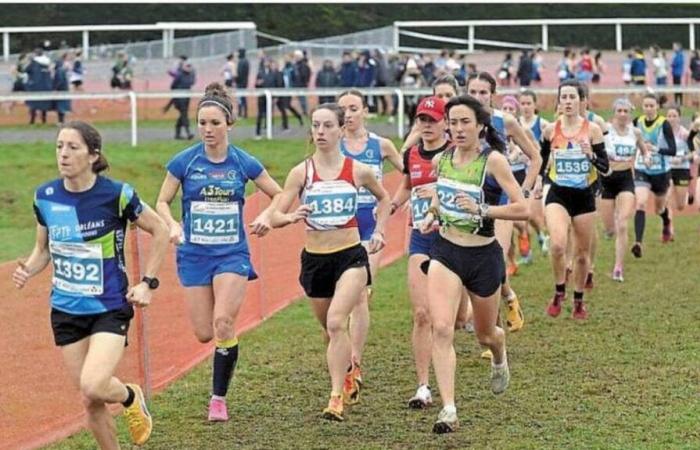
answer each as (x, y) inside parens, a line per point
(77, 267)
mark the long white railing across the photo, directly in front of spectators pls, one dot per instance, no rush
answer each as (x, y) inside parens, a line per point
(270, 94)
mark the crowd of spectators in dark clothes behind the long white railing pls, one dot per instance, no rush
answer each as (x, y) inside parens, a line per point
(356, 69)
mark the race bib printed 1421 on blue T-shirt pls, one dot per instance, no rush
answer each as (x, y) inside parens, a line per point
(213, 223)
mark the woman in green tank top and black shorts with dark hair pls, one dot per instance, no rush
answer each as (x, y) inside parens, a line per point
(466, 254)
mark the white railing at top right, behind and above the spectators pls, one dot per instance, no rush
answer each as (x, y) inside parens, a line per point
(471, 26)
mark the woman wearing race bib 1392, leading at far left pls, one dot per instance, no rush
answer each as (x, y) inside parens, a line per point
(81, 225)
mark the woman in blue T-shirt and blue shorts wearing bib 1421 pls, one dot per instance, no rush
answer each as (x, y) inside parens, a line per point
(213, 260)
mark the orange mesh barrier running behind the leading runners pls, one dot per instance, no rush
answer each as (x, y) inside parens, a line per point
(39, 405)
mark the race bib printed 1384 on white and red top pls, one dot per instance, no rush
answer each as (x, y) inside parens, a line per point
(333, 203)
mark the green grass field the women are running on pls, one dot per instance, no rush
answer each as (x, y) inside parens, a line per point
(626, 378)
